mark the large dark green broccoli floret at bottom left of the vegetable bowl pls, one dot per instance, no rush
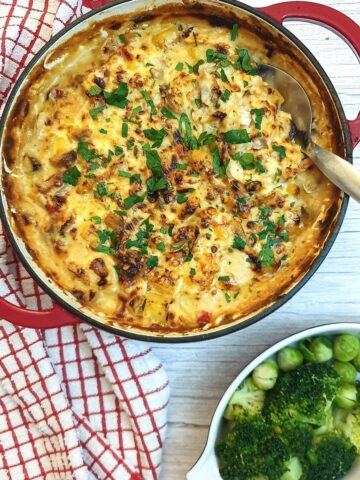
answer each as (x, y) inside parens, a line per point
(251, 450)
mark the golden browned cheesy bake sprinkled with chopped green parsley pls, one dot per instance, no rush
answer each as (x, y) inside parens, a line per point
(156, 179)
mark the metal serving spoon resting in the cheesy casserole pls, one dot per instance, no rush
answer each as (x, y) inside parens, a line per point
(296, 102)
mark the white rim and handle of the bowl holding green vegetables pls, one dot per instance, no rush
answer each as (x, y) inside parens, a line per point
(207, 466)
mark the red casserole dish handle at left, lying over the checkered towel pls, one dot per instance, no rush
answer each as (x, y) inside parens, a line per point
(56, 317)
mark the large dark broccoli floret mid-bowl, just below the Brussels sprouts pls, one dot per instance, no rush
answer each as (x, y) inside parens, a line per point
(304, 395)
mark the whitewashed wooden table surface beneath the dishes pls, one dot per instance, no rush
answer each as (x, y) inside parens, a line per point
(200, 372)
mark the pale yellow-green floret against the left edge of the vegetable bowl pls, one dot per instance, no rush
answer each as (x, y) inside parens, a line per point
(247, 401)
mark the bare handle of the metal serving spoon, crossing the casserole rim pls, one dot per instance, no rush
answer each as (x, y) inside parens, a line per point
(342, 173)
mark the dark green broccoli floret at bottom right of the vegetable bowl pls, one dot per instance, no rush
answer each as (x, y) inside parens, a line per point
(331, 458)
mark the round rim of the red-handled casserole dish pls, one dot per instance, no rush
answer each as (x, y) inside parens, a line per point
(46, 284)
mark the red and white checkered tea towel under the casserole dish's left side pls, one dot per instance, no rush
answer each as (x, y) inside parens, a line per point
(75, 403)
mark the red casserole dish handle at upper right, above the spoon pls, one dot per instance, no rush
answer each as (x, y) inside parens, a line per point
(327, 17)
